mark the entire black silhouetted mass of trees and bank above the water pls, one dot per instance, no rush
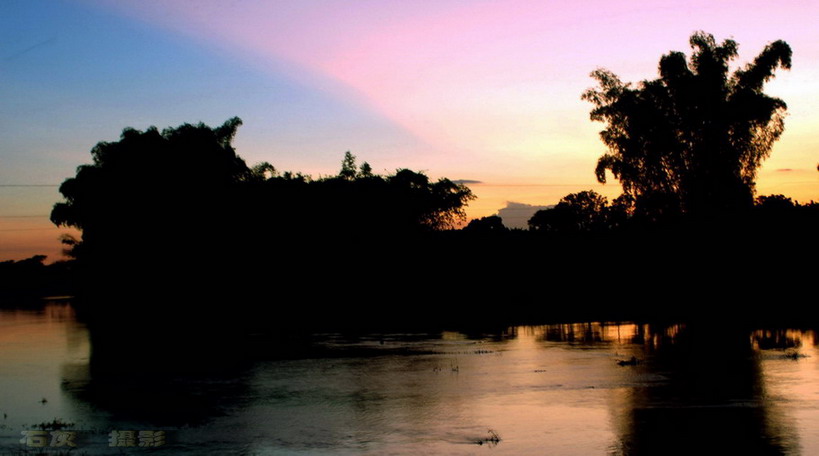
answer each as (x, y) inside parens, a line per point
(180, 235)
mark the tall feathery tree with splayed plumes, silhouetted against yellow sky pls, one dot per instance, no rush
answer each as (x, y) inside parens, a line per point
(692, 140)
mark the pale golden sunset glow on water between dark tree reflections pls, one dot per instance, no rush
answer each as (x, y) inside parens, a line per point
(442, 395)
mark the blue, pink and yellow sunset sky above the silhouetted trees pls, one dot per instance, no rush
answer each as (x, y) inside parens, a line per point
(485, 91)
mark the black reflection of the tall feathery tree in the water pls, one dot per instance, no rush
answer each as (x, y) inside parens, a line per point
(711, 400)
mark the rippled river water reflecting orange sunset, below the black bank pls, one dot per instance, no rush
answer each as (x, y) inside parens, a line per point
(554, 389)
